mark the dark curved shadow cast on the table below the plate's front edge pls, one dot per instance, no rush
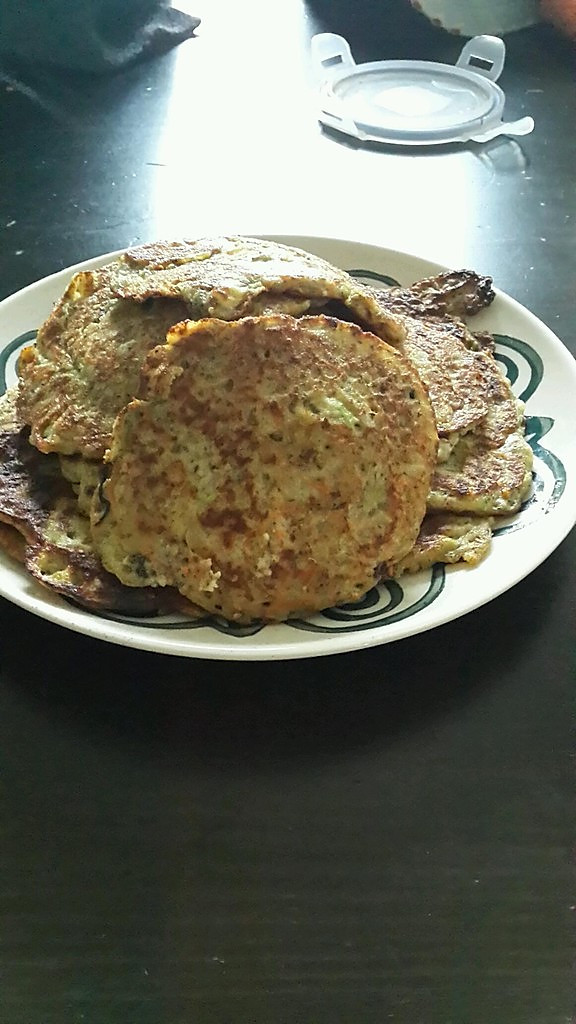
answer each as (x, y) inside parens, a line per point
(272, 714)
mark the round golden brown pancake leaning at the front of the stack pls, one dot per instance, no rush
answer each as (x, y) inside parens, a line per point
(269, 467)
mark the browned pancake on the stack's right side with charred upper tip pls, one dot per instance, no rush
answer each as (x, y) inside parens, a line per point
(484, 462)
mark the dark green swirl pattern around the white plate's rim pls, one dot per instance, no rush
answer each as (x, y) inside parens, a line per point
(391, 602)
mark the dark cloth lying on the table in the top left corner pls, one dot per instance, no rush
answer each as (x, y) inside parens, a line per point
(95, 36)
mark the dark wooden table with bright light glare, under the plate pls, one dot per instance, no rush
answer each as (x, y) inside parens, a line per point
(374, 837)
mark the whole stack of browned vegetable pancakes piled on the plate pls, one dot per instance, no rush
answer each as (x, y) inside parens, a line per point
(234, 426)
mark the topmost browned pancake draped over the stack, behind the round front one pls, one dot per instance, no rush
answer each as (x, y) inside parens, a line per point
(87, 363)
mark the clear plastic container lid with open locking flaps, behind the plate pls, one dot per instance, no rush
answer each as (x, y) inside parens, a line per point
(416, 103)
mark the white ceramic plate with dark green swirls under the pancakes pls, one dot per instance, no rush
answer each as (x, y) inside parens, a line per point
(543, 373)
